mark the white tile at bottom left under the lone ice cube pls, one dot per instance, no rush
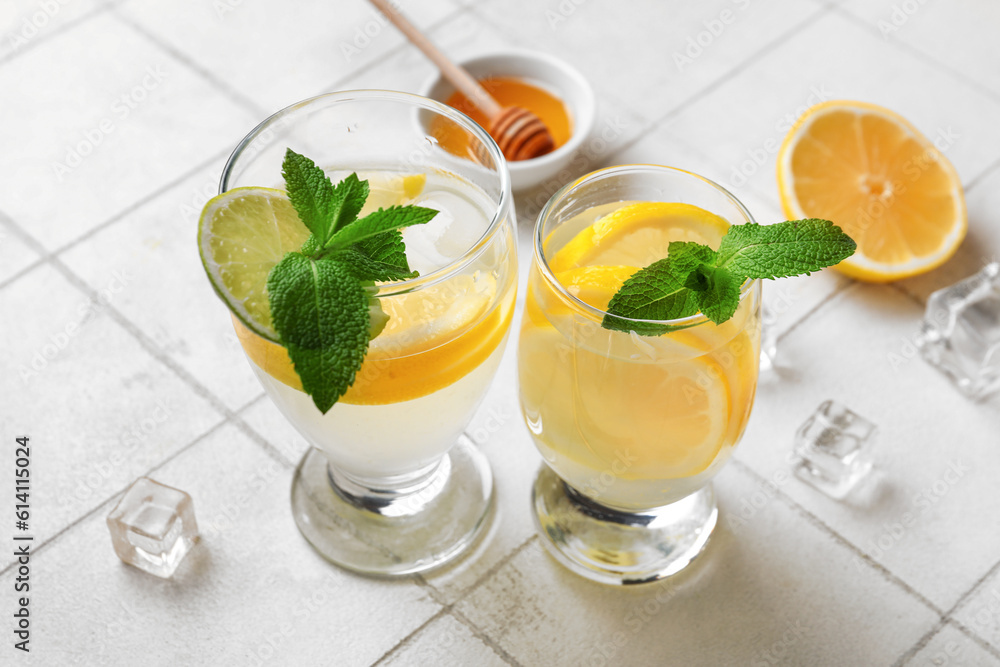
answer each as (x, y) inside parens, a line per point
(251, 592)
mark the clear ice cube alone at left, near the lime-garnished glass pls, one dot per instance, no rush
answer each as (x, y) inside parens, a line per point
(153, 527)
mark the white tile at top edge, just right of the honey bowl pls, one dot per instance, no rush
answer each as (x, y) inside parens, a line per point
(639, 56)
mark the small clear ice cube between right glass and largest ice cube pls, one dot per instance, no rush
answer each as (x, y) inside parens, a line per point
(833, 449)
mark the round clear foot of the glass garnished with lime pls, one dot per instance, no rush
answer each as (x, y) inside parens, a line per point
(394, 532)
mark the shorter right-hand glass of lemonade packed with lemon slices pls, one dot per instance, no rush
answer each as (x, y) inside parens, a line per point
(632, 427)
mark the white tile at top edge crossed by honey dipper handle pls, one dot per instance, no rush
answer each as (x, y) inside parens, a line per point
(278, 54)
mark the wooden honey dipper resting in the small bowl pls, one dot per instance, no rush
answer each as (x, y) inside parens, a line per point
(520, 134)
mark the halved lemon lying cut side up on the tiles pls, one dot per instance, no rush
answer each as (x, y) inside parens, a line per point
(870, 171)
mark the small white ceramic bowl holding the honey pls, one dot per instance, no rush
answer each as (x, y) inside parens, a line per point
(546, 72)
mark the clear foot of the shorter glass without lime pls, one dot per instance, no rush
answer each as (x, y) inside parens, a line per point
(615, 547)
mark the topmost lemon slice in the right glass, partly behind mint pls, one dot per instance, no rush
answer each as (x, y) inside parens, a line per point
(639, 234)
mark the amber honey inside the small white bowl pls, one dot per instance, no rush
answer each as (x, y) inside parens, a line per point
(508, 92)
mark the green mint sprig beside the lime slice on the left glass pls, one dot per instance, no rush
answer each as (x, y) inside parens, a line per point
(321, 297)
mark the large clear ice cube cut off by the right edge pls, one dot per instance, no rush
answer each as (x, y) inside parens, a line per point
(960, 335)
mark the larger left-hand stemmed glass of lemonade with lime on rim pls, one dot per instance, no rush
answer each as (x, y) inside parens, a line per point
(389, 487)
